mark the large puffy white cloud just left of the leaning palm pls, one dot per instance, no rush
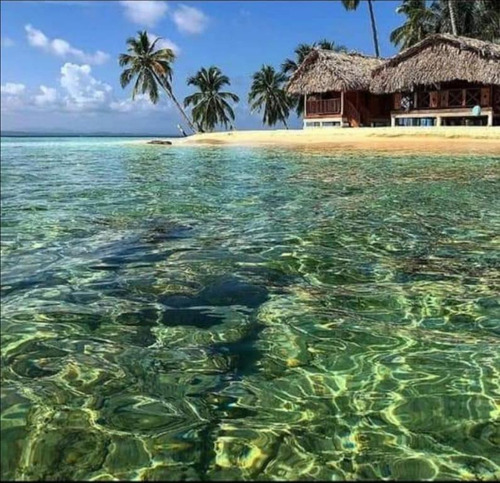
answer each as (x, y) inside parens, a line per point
(83, 91)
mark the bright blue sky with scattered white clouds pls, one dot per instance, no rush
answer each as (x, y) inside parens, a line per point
(59, 67)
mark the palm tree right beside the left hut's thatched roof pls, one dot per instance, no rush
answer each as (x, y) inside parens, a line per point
(267, 93)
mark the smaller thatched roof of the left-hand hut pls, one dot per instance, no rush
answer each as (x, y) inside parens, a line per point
(326, 70)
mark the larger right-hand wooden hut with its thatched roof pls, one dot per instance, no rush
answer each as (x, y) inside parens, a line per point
(442, 80)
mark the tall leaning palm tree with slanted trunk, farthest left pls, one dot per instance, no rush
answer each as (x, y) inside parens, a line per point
(150, 68)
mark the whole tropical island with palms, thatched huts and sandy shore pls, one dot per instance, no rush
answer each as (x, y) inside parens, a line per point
(447, 75)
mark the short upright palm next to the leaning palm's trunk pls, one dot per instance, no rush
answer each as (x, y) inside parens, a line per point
(210, 105)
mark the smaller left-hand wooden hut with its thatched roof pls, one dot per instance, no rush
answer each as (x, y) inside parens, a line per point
(335, 86)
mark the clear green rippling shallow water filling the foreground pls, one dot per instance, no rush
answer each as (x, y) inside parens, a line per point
(208, 313)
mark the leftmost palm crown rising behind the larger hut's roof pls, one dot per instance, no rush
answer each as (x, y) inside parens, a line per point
(420, 22)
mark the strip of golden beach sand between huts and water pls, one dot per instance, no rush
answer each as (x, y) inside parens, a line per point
(417, 139)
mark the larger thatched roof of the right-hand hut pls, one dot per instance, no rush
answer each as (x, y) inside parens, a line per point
(439, 58)
